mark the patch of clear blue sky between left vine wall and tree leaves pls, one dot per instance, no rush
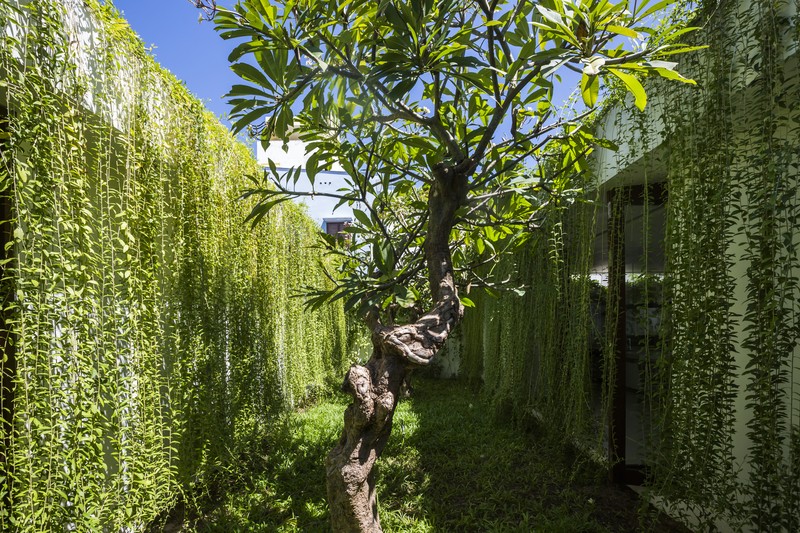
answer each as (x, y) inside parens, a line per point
(192, 51)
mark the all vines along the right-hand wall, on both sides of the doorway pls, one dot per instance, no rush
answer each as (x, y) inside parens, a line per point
(720, 380)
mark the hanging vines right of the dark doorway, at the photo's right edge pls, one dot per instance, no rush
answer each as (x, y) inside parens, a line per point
(727, 446)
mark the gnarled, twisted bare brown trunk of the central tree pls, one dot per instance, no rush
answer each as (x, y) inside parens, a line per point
(375, 388)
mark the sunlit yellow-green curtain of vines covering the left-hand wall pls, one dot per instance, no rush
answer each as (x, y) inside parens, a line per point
(148, 334)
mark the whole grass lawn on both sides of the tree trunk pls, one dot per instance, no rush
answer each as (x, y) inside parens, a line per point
(448, 467)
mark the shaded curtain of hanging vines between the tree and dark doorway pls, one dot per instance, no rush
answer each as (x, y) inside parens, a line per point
(532, 351)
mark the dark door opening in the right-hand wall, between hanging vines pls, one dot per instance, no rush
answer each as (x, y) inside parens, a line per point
(634, 267)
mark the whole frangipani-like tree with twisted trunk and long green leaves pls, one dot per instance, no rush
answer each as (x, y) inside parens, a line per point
(441, 113)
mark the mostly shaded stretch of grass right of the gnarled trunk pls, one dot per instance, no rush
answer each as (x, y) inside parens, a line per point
(454, 464)
